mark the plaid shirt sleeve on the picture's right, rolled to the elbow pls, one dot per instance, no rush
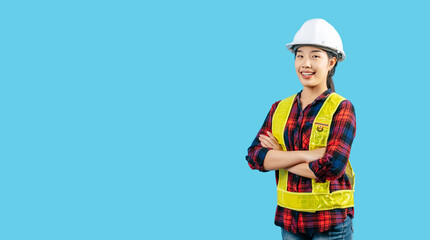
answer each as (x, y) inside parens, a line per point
(342, 132)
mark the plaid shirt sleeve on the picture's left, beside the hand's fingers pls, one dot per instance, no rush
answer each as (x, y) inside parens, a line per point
(256, 152)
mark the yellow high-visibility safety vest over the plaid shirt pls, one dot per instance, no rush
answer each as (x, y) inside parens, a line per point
(320, 198)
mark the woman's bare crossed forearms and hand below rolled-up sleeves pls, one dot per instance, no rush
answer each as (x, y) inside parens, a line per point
(296, 162)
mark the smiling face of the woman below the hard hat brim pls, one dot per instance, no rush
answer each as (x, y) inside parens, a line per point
(312, 66)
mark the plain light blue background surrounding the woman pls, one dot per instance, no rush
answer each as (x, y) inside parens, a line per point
(131, 119)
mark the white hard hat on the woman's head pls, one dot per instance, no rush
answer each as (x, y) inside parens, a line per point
(318, 32)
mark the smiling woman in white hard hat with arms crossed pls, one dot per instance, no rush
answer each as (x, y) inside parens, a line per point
(307, 139)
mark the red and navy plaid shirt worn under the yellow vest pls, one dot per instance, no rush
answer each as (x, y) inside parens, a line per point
(330, 167)
